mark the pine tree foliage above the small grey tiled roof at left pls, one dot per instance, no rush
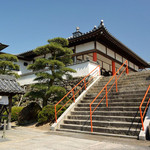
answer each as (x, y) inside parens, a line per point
(7, 64)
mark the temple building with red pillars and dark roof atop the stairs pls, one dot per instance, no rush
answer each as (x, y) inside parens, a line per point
(100, 46)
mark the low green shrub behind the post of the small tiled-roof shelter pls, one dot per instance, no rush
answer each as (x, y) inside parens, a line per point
(14, 113)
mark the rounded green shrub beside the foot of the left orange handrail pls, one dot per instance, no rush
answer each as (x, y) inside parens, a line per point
(47, 114)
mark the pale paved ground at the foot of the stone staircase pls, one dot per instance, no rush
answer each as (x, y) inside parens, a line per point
(23, 138)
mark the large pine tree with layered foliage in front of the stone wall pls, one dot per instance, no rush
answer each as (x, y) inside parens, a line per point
(59, 58)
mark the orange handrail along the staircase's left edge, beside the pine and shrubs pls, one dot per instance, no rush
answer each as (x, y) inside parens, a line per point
(74, 93)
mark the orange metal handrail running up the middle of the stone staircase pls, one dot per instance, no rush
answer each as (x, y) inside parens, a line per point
(107, 91)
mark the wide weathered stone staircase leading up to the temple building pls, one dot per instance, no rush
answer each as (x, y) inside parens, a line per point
(121, 117)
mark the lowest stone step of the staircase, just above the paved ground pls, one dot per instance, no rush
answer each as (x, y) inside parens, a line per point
(124, 131)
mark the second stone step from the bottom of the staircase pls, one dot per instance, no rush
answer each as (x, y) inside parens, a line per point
(104, 123)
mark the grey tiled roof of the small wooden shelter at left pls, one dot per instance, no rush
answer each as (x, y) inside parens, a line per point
(9, 85)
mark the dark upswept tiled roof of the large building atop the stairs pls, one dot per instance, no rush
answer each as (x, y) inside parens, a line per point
(102, 35)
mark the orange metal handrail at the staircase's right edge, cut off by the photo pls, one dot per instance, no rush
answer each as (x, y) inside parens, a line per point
(142, 116)
